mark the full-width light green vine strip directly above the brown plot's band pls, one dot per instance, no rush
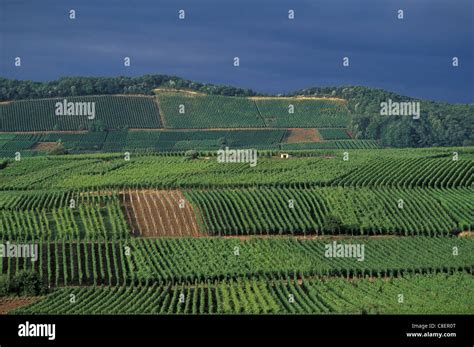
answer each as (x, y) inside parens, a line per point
(365, 168)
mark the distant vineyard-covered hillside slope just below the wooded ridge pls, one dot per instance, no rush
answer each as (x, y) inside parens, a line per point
(175, 121)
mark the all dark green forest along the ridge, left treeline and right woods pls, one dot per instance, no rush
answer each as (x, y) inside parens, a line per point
(440, 124)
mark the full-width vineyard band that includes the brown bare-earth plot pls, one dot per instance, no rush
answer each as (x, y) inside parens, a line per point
(264, 211)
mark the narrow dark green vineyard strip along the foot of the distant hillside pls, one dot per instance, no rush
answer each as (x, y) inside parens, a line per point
(167, 141)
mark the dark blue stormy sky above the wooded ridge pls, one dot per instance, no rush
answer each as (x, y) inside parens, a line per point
(412, 56)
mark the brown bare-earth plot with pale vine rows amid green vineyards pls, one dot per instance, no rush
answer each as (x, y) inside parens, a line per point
(155, 213)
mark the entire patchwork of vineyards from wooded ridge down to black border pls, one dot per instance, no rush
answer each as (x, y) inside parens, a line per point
(129, 223)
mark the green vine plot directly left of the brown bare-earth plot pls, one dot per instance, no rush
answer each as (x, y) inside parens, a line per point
(38, 216)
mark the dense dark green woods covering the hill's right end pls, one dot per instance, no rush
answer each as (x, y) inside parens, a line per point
(440, 124)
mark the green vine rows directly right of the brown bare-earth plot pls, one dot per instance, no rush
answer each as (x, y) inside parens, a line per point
(267, 211)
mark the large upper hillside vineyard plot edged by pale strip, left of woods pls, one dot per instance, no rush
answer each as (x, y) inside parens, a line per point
(213, 111)
